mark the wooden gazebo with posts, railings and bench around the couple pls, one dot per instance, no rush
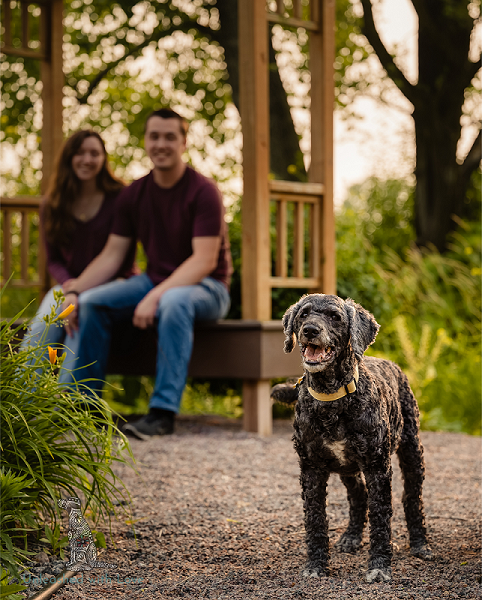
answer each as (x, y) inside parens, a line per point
(251, 348)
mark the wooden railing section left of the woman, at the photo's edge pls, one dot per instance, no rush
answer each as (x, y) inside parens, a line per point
(20, 256)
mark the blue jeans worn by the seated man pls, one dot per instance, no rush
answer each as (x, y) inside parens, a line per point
(179, 307)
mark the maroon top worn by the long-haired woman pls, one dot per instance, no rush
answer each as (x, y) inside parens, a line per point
(86, 241)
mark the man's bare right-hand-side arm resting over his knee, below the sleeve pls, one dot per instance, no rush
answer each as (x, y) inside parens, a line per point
(194, 269)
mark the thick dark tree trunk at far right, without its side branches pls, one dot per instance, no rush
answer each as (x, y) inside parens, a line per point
(441, 182)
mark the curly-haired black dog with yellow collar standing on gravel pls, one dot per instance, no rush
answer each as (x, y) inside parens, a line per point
(352, 413)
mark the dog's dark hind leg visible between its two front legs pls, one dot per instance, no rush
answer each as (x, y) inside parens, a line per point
(357, 495)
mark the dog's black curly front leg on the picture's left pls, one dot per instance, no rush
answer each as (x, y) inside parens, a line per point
(313, 483)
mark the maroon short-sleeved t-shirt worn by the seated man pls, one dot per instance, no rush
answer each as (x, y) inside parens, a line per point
(166, 220)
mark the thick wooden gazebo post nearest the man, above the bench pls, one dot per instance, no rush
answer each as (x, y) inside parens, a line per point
(253, 53)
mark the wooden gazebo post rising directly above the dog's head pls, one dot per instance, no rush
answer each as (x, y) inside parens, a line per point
(322, 56)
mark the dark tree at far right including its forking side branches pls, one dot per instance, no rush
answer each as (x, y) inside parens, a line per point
(445, 80)
